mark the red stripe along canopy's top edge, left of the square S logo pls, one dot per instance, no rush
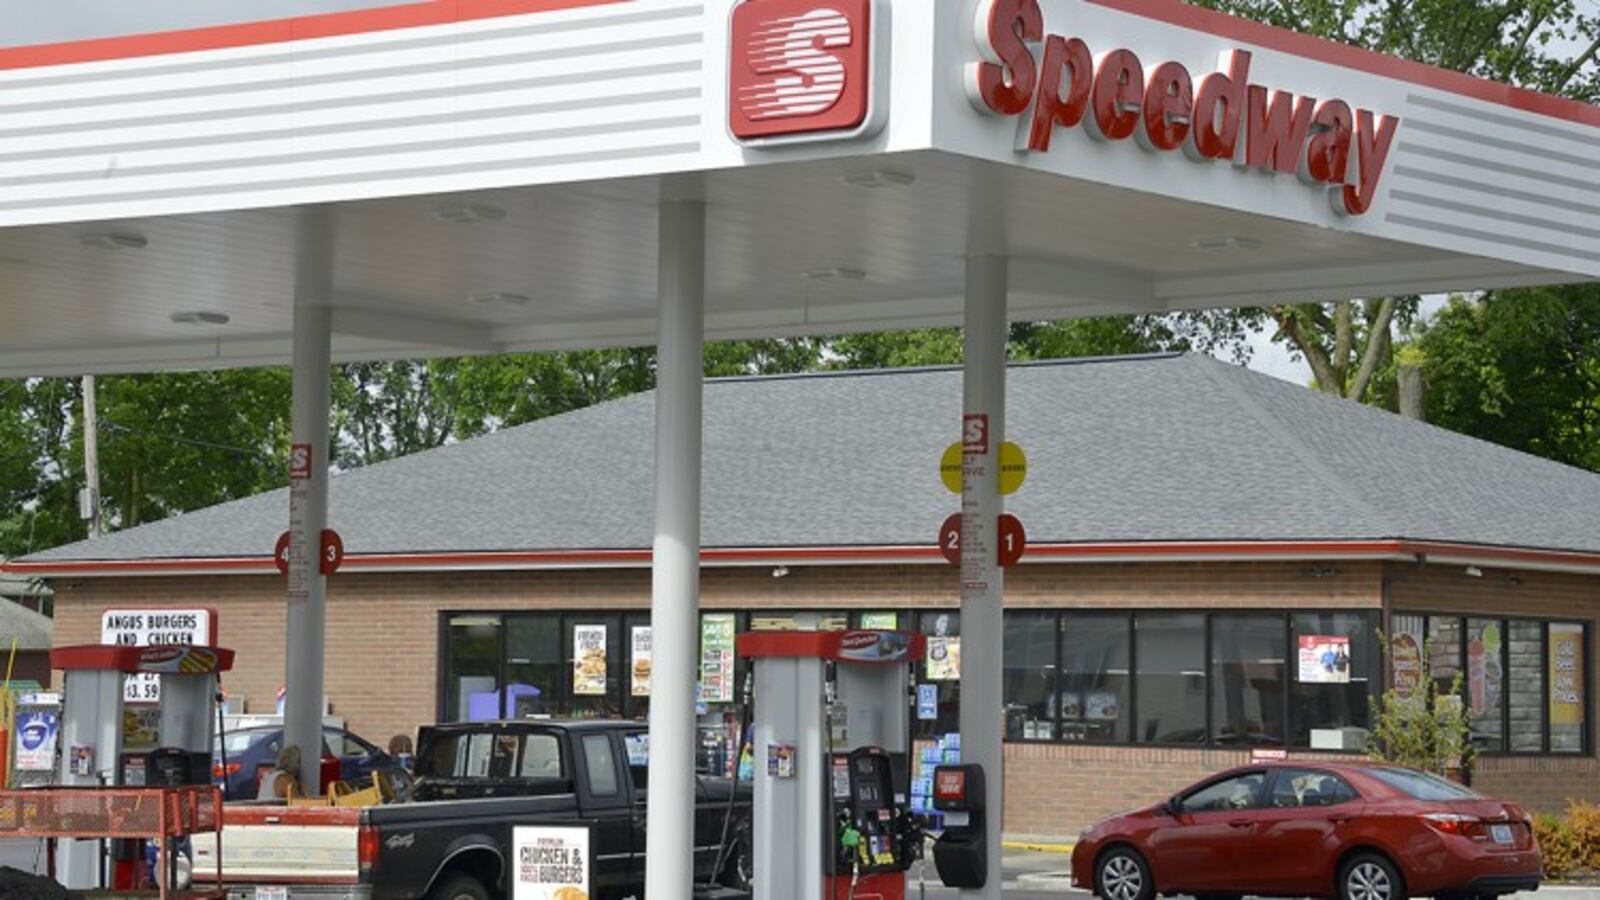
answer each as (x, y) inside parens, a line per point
(279, 31)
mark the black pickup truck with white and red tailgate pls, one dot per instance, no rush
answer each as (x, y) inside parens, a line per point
(450, 834)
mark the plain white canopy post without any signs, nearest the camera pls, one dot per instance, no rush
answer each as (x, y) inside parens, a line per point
(674, 603)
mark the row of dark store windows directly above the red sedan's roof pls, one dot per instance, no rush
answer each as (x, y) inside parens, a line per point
(1193, 678)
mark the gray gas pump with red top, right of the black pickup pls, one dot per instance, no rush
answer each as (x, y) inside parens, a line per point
(831, 818)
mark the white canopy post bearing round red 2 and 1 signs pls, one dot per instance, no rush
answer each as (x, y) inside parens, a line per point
(983, 430)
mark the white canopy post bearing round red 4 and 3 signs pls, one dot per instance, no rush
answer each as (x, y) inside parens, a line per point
(310, 494)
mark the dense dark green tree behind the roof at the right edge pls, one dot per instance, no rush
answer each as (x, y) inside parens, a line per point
(1519, 368)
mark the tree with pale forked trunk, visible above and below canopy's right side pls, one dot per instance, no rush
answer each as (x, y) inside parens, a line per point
(1526, 42)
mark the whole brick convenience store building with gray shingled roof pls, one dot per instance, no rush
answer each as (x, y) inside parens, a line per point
(1212, 555)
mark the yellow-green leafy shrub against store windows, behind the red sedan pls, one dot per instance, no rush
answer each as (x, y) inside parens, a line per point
(1428, 731)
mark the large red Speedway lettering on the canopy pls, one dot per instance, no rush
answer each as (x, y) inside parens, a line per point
(1225, 118)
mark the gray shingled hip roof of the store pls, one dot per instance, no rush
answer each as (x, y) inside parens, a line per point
(1145, 449)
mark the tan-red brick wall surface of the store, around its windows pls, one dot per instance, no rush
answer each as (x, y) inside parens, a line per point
(383, 641)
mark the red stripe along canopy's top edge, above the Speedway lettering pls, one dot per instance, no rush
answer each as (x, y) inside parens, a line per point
(1332, 52)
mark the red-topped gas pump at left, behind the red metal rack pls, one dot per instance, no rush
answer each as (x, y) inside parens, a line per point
(92, 733)
